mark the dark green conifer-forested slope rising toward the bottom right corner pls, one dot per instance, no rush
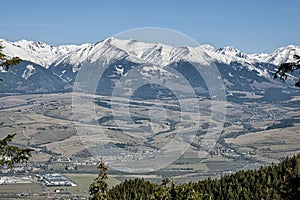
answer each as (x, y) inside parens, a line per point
(281, 181)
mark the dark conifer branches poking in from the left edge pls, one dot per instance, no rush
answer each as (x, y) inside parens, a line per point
(9, 154)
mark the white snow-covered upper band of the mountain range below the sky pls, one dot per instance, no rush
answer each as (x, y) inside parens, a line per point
(45, 55)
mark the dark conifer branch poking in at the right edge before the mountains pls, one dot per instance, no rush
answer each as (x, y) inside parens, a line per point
(285, 68)
